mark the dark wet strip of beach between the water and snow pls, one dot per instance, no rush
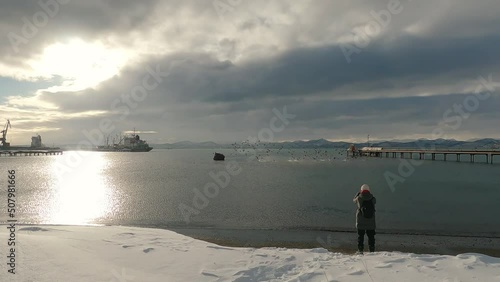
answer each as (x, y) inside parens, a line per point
(346, 242)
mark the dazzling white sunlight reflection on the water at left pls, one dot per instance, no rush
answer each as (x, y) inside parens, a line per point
(81, 194)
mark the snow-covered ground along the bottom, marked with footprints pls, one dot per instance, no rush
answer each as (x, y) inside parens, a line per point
(127, 254)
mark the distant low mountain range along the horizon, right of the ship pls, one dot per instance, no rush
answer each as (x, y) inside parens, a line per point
(486, 143)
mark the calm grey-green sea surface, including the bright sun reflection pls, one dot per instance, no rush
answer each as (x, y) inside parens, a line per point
(297, 189)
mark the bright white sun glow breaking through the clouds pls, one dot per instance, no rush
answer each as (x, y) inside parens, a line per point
(80, 64)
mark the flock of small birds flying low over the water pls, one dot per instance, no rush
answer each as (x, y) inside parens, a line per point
(265, 151)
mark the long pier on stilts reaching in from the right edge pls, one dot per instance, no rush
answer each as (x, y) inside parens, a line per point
(424, 154)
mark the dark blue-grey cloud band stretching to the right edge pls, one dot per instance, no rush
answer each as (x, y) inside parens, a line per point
(313, 70)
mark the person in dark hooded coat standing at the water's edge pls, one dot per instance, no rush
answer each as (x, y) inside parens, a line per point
(365, 217)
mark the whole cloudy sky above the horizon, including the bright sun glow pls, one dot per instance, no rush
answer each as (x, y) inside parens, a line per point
(73, 70)
